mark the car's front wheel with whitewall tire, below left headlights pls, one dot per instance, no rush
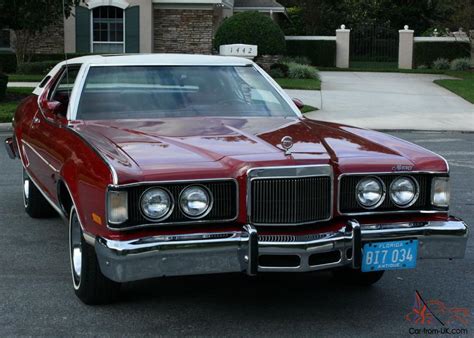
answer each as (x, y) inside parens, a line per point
(90, 285)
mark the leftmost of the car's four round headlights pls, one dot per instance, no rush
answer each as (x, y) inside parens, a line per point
(156, 204)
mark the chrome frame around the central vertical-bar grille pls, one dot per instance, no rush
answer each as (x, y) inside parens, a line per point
(320, 170)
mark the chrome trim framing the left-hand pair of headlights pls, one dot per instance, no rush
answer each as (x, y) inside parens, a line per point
(191, 221)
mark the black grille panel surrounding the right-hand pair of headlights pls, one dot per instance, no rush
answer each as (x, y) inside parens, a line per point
(347, 194)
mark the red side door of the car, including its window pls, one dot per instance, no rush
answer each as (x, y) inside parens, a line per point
(45, 146)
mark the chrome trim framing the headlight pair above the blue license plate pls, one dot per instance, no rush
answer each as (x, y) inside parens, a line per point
(366, 213)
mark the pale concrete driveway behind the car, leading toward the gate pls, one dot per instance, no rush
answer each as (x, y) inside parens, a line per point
(388, 101)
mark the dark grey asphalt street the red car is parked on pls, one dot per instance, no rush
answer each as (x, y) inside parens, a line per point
(36, 296)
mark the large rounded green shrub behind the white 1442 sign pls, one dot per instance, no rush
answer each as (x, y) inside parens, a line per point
(252, 28)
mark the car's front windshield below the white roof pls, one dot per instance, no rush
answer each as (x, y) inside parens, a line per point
(147, 92)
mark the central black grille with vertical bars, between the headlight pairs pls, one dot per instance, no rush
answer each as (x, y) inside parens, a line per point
(294, 200)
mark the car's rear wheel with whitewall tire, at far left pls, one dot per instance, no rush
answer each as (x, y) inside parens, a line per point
(36, 206)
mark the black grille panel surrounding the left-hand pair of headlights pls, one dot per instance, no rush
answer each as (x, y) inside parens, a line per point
(224, 207)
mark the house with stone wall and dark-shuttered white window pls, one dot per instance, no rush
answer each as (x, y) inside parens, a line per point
(143, 26)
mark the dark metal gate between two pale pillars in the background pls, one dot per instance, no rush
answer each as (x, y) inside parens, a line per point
(373, 46)
